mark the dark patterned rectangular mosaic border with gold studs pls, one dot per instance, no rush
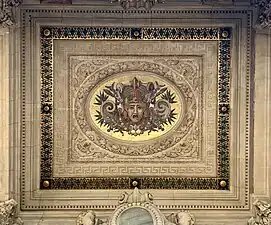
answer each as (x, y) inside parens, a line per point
(47, 37)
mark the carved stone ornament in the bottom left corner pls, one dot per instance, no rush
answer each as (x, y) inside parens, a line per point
(8, 213)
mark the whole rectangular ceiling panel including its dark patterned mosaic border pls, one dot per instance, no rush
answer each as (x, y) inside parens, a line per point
(150, 105)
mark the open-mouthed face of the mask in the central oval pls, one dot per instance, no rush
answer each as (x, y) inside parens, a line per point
(135, 111)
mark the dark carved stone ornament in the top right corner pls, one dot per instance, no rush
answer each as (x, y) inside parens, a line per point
(264, 18)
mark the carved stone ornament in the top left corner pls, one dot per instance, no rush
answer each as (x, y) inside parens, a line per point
(6, 12)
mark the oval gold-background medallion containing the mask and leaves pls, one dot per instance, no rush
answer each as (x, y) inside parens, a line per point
(134, 106)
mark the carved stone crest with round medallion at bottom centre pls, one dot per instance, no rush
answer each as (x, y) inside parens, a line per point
(137, 208)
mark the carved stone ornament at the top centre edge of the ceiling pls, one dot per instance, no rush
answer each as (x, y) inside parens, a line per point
(147, 4)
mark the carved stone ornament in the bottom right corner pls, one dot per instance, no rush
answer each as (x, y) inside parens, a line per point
(263, 214)
